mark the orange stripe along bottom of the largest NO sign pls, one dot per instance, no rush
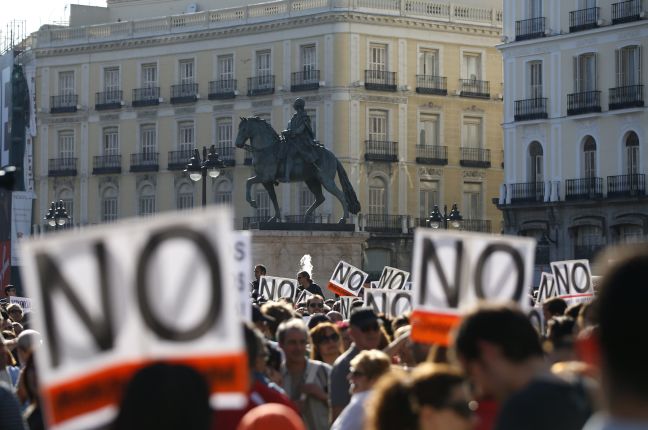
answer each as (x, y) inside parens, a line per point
(88, 393)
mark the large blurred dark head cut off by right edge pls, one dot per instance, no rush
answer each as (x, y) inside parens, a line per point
(622, 322)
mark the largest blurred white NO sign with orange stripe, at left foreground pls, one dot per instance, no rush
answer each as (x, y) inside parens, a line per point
(118, 297)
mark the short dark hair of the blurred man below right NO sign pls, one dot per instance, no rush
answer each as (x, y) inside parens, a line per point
(503, 326)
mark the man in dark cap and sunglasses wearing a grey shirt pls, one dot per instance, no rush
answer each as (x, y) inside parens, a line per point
(364, 329)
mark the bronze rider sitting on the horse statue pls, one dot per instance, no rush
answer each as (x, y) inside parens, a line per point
(299, 135)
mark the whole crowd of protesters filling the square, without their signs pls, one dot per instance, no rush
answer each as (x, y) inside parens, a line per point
(312, 369)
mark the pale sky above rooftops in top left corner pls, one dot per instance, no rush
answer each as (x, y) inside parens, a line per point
(38, 12)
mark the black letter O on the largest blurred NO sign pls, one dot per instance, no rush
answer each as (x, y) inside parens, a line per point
(214, 311)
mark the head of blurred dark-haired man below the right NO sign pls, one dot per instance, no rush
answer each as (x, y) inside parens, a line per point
(492, 341)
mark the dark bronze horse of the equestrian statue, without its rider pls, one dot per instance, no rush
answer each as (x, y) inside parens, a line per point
(266, 147)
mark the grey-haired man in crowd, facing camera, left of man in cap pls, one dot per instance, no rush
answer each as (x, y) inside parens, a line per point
(305, 381)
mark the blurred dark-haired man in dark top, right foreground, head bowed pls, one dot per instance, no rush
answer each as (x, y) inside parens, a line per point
(500, 352)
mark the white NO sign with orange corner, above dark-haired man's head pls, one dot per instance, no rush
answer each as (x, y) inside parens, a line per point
(454, 271)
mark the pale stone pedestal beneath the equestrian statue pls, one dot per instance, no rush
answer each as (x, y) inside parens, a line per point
(280, 252)
